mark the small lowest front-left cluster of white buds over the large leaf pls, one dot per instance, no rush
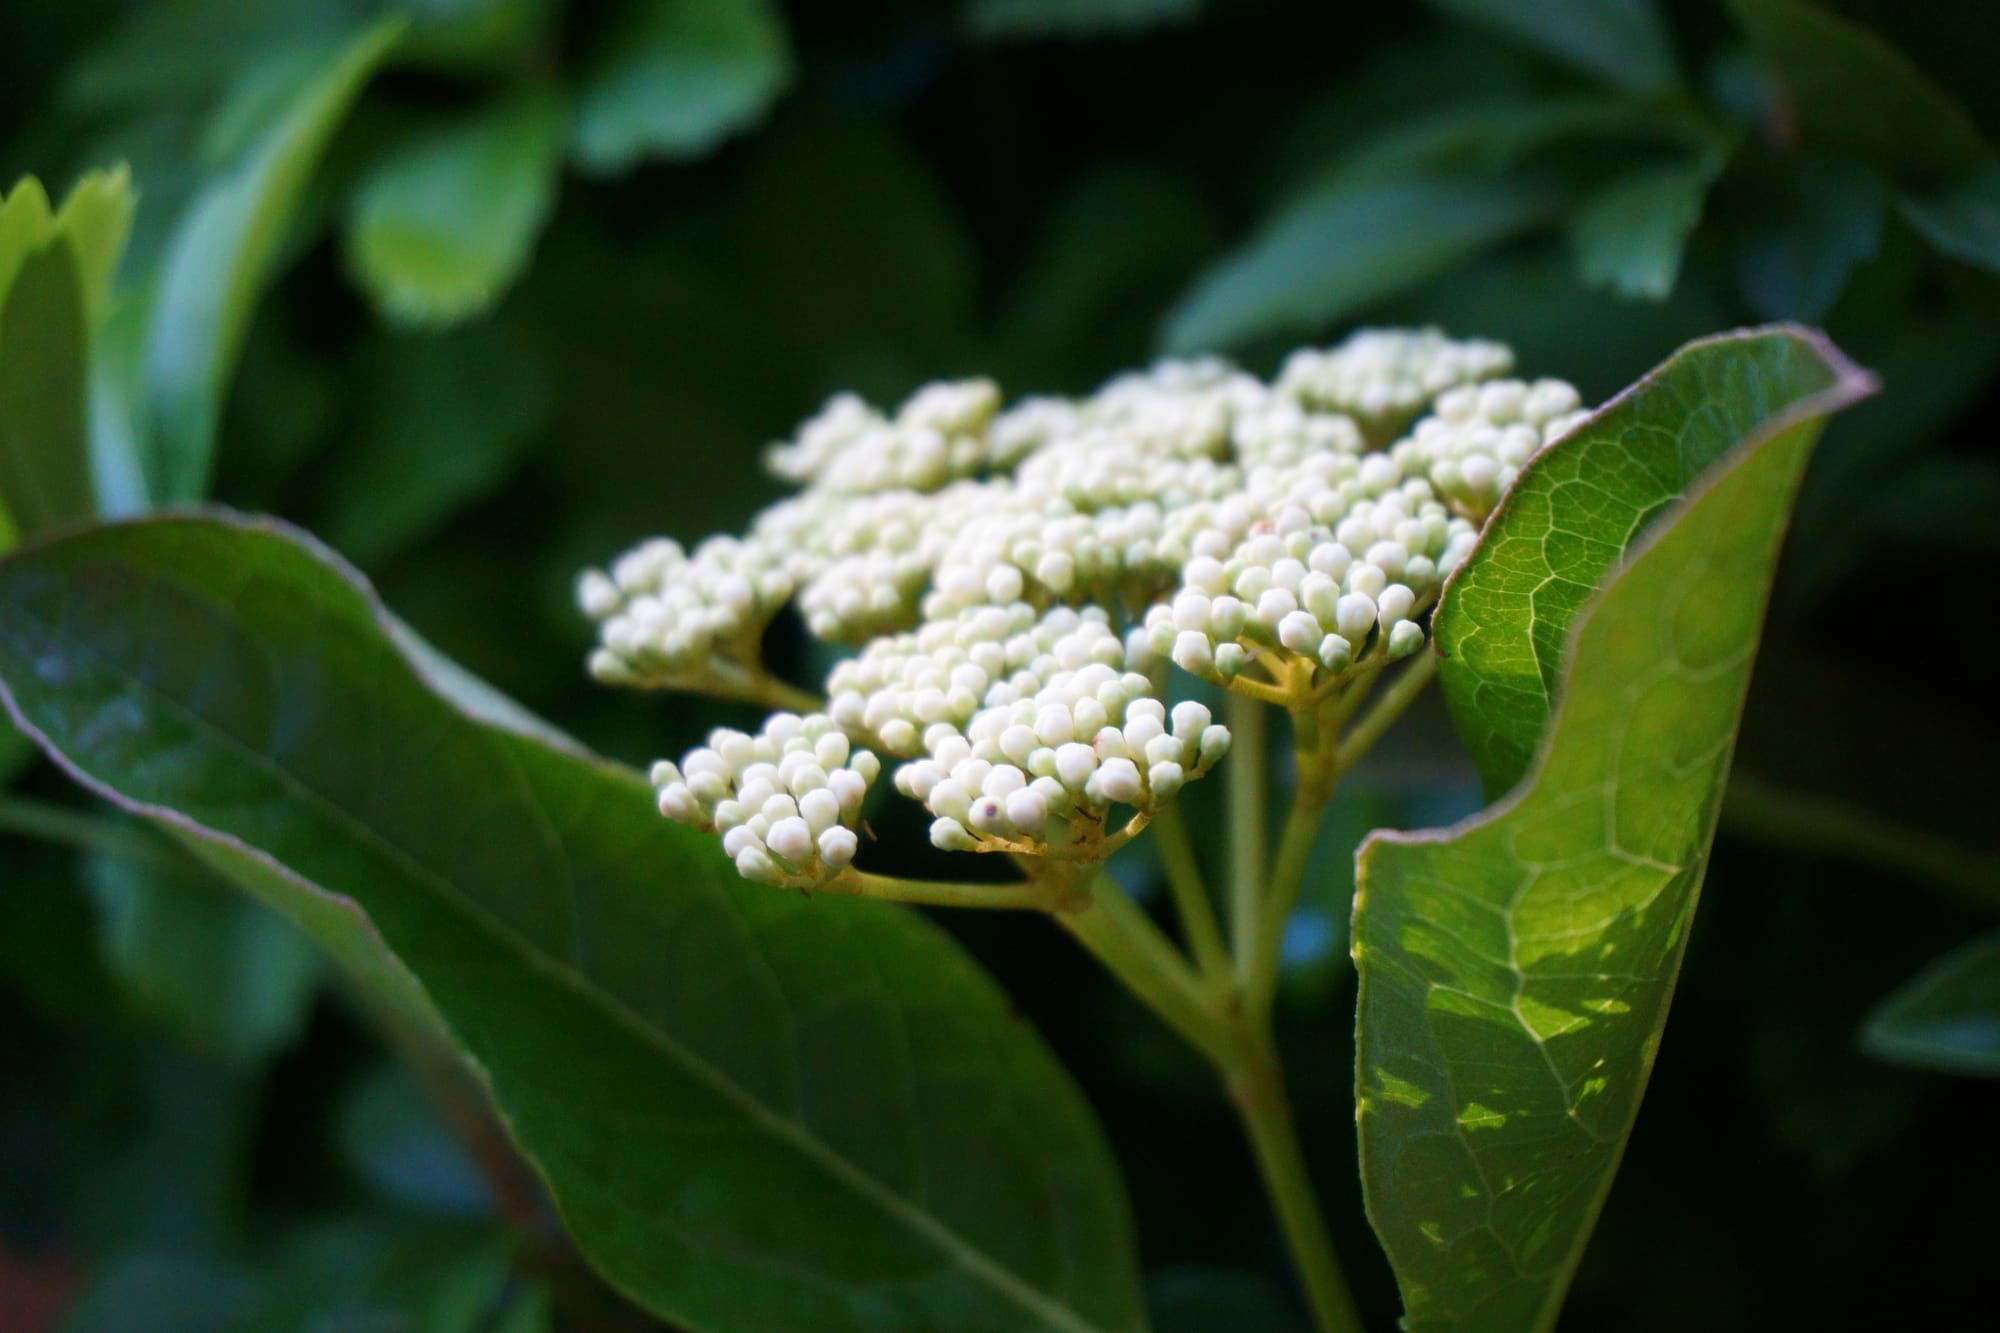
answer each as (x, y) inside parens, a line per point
(785, 802)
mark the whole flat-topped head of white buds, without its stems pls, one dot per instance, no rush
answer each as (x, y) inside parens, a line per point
(1019, 579)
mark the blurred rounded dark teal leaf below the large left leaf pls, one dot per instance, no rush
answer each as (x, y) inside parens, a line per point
(225, 974)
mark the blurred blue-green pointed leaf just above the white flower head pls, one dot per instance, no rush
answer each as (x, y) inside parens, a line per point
(1347, 245)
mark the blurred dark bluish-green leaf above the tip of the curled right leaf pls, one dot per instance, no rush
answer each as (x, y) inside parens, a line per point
(1815, 223)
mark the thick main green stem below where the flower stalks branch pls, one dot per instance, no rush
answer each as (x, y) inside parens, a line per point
(1257, 1090)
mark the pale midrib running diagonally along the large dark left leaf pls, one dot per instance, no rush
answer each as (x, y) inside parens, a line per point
(775, 1124)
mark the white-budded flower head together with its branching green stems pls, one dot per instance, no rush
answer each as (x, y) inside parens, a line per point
(1043, 599)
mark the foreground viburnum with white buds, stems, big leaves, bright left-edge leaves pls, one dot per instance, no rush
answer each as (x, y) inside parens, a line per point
(761, 1094)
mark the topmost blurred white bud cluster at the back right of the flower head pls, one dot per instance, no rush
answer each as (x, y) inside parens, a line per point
(1387, 377)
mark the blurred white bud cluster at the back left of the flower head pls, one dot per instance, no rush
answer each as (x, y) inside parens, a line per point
(939, 433)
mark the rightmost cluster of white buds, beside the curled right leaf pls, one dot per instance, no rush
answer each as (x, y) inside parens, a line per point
(1479, 437)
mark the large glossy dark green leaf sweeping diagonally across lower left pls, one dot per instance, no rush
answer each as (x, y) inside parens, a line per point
(753, 1110)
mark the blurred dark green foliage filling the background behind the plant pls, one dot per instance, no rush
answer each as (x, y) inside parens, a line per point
(483, 291)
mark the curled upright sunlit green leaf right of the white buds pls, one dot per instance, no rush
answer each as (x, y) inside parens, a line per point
(1515, 970)
